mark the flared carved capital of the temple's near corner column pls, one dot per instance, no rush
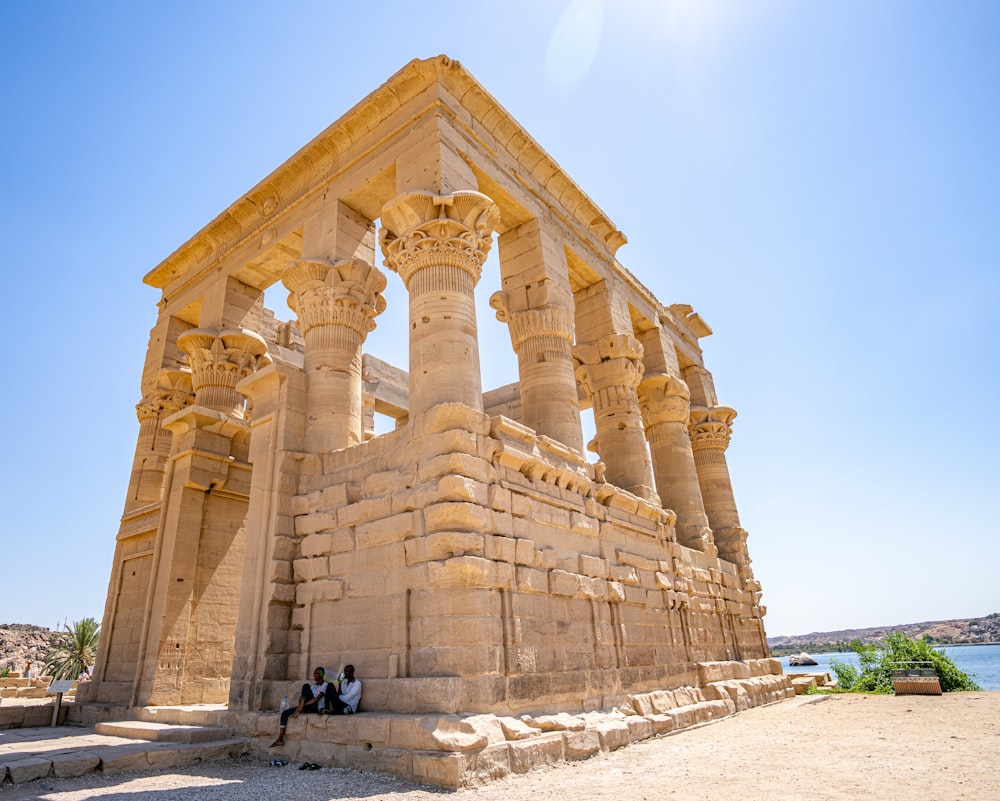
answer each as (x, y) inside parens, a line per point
(422, 229)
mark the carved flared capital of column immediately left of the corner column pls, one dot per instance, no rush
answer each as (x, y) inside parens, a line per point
(347, 293)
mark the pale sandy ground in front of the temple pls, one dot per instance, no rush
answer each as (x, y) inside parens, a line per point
(882, 748)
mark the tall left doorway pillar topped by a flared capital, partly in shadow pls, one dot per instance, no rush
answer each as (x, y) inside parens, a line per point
(187, 651)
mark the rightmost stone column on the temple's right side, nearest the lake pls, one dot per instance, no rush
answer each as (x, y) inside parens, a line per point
(710, 430)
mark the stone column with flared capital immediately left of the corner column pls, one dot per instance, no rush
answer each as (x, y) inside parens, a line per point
(336, 306)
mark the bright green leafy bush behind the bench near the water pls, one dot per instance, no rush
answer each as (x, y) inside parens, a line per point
(874, 675)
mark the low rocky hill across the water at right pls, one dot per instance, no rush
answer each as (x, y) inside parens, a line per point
(940, 632)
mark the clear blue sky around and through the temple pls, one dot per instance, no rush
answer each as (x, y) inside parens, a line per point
(820, 180)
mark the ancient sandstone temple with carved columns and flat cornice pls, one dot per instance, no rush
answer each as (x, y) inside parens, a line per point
(472, 560)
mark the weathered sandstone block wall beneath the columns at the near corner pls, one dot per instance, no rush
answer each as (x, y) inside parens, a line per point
(455, 582)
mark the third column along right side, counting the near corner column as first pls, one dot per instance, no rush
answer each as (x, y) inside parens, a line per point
(610, 371)
